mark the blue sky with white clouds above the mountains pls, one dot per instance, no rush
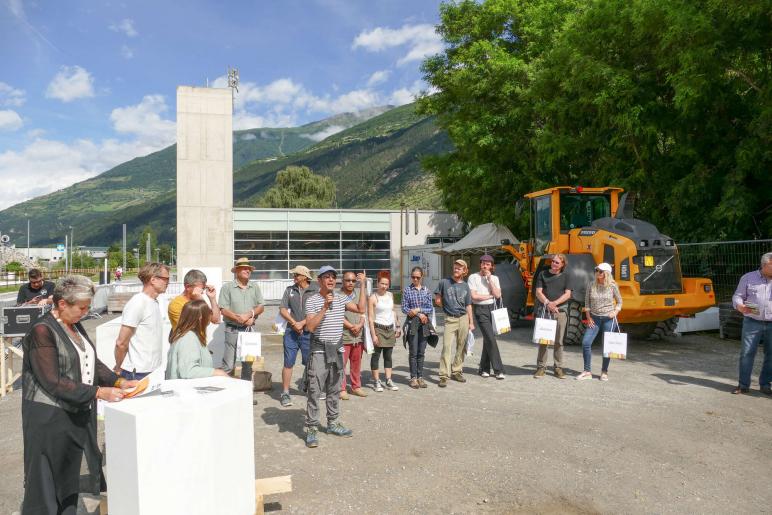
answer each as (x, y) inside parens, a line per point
(87, 85)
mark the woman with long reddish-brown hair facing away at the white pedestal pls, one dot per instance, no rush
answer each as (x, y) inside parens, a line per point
(189, 357)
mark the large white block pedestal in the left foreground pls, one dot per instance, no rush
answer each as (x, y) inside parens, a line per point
(187, 453)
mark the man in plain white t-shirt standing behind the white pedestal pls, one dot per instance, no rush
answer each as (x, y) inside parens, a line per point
(139, 347)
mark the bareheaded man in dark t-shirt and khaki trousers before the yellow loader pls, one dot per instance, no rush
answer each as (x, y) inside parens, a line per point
(552, 292)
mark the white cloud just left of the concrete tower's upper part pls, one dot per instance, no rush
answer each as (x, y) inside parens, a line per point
(145, 122)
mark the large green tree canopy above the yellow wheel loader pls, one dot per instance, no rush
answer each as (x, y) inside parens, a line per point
(670, 99)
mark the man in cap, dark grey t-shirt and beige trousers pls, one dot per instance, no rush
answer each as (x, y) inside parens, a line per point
(453, 295)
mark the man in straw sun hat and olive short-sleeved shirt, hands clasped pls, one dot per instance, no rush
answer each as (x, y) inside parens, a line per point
(241, 302)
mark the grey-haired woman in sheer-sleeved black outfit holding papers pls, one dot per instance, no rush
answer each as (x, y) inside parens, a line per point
(61, 381)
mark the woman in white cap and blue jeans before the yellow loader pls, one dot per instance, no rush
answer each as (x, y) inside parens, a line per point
(602, 303)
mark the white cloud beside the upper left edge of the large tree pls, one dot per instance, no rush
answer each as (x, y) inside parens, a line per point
(421, 39)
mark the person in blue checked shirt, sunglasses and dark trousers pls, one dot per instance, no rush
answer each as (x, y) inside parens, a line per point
(417, 306)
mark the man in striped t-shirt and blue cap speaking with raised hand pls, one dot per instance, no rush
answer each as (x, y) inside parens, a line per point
(324, 318)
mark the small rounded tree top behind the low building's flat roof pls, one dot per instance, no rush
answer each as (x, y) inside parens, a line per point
(298, 187)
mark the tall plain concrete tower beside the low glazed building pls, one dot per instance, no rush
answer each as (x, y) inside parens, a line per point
(204, 178)
